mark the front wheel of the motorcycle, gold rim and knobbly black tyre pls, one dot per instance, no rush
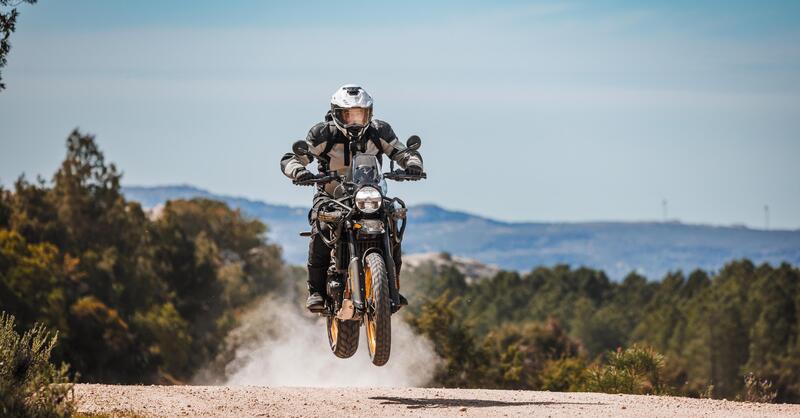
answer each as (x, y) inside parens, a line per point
(378, 319)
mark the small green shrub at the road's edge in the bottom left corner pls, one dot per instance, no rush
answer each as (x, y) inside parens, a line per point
(29, 385)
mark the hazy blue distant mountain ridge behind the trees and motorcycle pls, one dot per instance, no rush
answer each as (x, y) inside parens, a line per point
(650, 248)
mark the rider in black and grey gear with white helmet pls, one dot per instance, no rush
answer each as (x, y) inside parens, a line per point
(349, 120)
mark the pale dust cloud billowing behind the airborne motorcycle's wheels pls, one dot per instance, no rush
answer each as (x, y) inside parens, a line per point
(279, 344)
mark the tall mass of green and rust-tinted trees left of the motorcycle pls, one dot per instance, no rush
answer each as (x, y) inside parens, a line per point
(135, 299)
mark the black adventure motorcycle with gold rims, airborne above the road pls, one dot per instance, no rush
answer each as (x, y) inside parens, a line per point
(363, 226)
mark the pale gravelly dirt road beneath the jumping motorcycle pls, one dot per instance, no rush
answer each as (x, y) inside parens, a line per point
(251, 401)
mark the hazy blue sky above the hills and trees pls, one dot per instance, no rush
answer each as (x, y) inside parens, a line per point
(545, 111)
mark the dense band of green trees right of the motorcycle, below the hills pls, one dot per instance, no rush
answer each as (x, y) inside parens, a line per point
(713, 331)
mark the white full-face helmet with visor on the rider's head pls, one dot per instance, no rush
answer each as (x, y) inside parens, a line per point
(351, 109)
